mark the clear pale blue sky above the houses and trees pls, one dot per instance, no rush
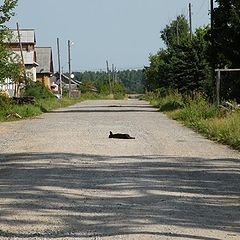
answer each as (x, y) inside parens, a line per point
(124, 32)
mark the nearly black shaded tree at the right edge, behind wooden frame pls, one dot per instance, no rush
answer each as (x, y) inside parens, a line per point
(226, 35)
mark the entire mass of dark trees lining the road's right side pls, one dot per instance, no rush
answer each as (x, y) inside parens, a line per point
(187, 62)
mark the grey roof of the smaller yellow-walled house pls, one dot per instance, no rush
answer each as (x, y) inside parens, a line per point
(44, 59)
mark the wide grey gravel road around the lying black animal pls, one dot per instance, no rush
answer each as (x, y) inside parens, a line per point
(61, 177)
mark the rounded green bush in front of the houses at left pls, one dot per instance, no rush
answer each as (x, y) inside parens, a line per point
(37, 90)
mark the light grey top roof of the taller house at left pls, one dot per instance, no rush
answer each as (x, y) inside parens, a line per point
(26, 36)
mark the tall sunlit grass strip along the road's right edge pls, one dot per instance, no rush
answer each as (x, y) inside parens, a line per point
(196, 113)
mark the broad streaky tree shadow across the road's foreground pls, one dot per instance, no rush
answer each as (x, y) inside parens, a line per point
(119, 195)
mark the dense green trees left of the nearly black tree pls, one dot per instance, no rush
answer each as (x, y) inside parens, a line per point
(182, 66)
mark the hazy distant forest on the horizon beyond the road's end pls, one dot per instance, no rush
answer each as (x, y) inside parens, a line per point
(132, 80)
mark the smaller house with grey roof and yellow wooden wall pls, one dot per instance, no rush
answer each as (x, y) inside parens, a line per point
(45, 68)
